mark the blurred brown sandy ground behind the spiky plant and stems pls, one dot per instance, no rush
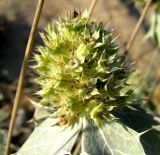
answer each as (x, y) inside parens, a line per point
(16, 17)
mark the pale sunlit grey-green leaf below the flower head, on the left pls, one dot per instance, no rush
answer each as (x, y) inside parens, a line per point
(47, 139)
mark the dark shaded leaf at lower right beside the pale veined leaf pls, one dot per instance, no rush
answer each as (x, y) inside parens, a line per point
(140, 121)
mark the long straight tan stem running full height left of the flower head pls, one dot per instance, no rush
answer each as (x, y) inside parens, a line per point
(23, 73)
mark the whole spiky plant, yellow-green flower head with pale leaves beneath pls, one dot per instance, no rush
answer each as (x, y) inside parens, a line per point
(83, 87)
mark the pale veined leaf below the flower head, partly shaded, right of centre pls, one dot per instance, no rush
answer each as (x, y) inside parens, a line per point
(110, 139)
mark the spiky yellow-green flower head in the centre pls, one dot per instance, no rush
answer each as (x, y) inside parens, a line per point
(80, 72)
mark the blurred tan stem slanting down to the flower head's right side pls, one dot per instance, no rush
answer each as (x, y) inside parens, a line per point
(137, 27)
